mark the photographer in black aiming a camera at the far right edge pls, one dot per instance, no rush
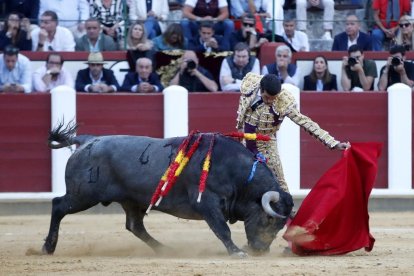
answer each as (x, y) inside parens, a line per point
(397, 70)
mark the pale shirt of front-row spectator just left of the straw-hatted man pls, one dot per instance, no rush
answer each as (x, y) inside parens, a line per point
(64, 78)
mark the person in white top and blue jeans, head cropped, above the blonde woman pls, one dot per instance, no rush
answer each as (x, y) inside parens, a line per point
(152, 13)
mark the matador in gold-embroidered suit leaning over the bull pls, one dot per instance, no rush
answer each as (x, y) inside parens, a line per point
(263, 105)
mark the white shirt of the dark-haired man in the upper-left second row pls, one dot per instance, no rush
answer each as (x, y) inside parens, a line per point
(62, 41)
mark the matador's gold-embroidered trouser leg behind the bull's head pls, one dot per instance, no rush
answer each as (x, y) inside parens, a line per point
(270, 151)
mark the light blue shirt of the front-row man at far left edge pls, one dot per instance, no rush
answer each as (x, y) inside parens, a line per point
(21, 73)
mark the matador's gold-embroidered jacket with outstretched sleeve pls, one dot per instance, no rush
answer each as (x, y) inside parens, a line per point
(266, 119)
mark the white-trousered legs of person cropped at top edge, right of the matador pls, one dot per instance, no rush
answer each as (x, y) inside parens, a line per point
(328, 15)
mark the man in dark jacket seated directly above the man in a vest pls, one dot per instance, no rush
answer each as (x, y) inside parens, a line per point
(247, 34)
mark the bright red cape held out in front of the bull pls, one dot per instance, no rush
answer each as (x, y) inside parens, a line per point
(333, 218)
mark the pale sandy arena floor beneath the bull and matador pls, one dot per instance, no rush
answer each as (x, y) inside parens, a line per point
(100, 245)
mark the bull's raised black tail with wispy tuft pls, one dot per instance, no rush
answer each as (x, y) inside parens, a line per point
(61, 136)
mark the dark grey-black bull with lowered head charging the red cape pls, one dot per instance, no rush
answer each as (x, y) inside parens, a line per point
(127, 170)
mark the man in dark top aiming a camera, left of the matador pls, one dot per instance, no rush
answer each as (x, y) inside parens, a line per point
(192, 76)
